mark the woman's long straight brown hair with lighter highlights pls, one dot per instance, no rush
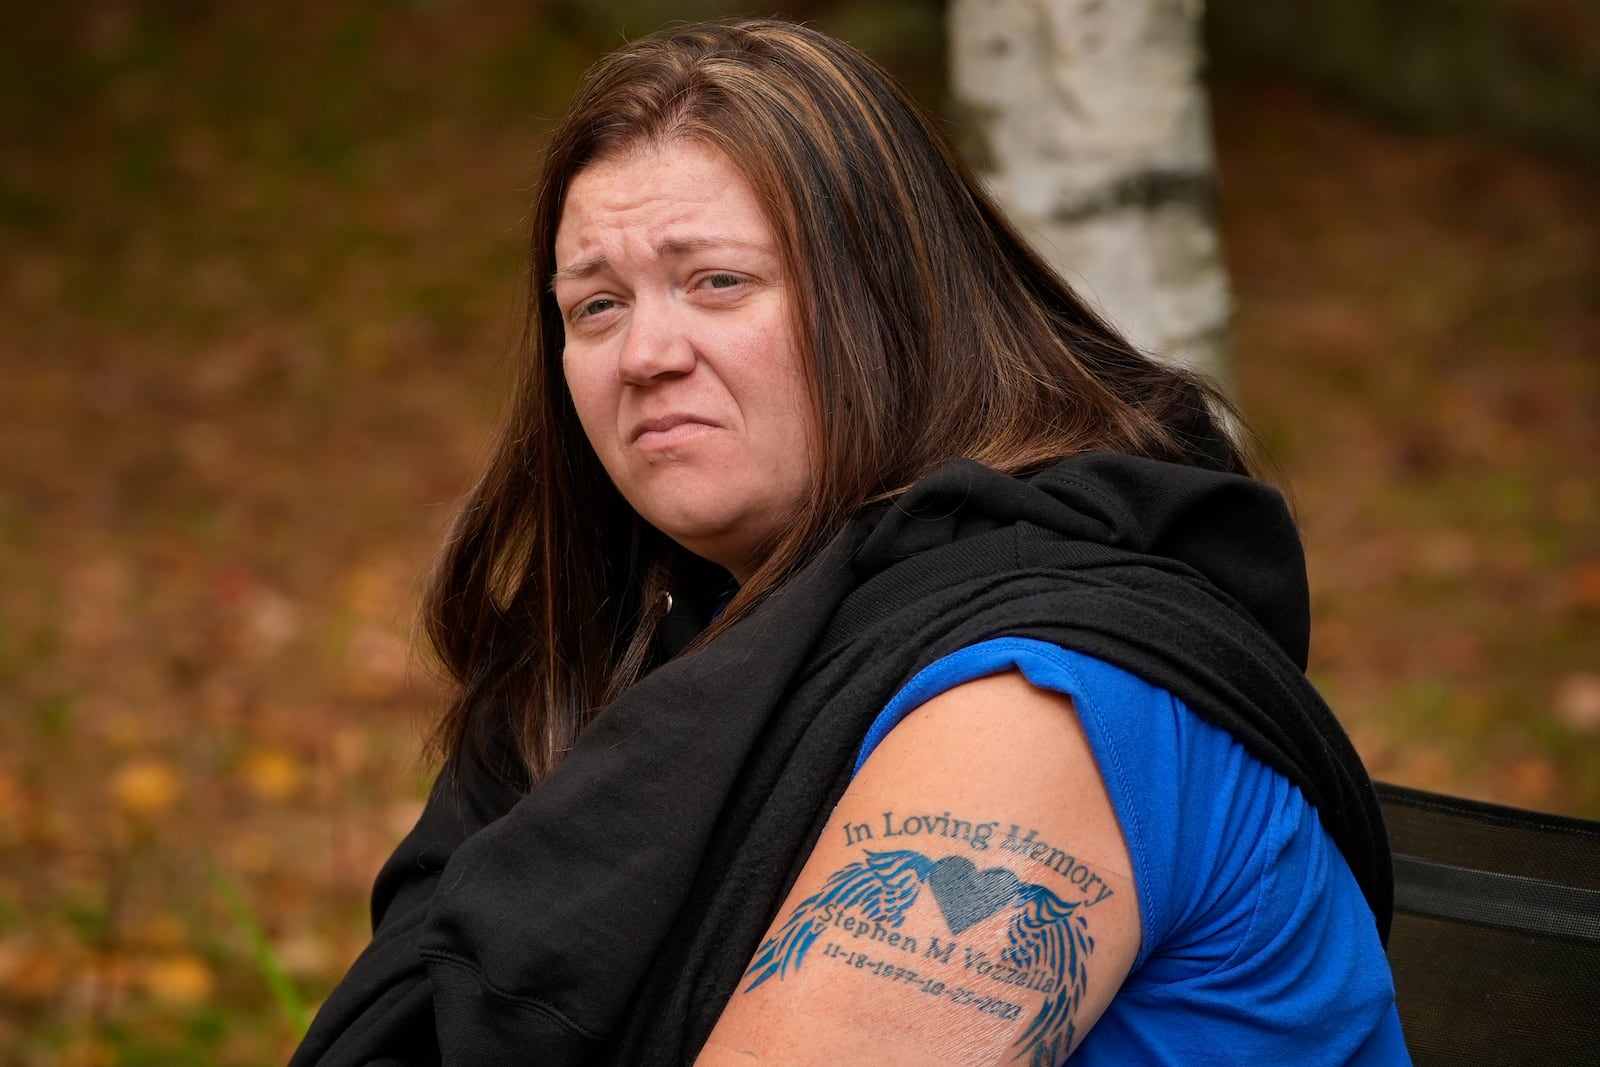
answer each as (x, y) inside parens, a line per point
(927, 327)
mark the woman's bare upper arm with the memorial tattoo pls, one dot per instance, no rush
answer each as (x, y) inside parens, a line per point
(970, 900)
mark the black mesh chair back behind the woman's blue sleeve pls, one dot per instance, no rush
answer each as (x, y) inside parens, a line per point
(1497, 933)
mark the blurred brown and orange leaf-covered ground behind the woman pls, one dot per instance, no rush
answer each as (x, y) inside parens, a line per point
(260, 271)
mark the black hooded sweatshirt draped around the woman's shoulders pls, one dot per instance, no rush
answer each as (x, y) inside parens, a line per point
(609, 914)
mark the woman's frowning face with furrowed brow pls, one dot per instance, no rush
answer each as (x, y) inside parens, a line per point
(681, 358)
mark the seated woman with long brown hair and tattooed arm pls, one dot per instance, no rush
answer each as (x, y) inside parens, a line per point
(863, 652)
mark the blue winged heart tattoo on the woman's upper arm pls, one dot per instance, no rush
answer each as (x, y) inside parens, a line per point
(1046, 933)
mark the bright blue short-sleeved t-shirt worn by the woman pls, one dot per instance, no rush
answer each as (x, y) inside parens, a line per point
(1258, 946)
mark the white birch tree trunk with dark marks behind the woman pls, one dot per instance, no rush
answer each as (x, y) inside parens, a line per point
(1089, 122)
